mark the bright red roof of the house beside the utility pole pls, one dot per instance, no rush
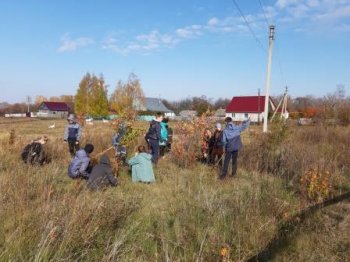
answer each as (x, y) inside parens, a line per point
(246, 104)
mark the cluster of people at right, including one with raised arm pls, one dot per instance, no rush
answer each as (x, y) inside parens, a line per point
(222, 146)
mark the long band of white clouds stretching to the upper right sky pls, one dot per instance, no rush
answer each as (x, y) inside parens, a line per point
(299, 15)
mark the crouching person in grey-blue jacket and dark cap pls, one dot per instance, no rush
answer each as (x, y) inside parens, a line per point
(80, 166)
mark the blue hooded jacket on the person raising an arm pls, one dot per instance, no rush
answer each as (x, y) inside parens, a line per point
(231, 137)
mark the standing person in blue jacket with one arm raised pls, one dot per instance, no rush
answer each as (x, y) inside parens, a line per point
(231, 139)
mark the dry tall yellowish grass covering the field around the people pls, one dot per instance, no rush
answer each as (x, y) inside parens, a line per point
(187, 215)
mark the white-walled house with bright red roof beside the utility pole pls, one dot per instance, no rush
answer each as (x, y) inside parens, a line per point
(242, 107)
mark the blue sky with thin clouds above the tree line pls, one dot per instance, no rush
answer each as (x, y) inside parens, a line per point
(178, 49)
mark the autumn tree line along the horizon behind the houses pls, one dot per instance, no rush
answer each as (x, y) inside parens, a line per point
(92, 99)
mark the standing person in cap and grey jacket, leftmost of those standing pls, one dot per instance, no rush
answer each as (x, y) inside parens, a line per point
(72, 134)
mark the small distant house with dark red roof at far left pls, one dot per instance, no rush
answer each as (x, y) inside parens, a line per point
(53, 109)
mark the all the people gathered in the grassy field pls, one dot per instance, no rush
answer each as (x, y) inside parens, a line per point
(218, 148)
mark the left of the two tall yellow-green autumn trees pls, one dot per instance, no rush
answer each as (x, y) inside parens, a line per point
(91, 97)
